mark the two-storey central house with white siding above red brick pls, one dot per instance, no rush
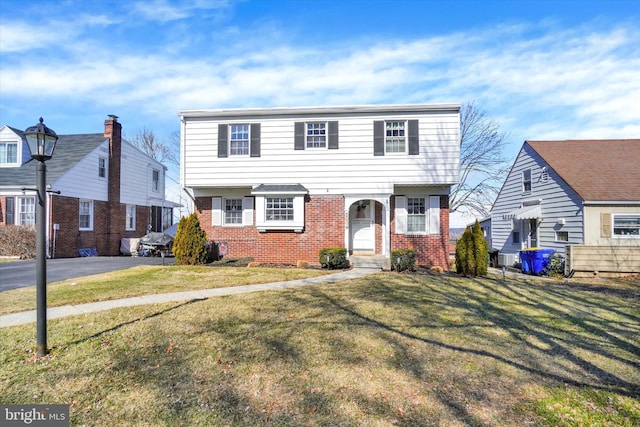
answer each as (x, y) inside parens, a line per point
(279, 184)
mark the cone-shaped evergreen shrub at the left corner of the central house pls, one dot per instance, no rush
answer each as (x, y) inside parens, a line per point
(190, 244)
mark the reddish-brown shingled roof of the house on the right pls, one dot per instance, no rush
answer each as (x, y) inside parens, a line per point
(597, 169)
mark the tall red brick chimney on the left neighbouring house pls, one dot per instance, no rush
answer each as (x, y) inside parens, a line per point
(115, 215)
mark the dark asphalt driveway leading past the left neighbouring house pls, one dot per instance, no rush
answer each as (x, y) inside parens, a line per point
(20, 274)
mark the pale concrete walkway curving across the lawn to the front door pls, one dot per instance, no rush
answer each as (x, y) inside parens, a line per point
(70, 310)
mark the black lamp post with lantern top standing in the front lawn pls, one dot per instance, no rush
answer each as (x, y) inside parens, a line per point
(42, 141)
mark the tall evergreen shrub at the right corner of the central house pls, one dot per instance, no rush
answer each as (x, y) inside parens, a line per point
(472, 254)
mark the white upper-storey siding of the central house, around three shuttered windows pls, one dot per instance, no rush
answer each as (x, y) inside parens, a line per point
(351, 168)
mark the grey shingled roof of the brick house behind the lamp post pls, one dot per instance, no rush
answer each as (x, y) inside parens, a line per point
(70, 149)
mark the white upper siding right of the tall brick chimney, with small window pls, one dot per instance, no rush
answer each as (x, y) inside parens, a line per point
(136, 175)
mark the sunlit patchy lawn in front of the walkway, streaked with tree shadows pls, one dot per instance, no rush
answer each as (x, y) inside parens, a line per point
(387, 349)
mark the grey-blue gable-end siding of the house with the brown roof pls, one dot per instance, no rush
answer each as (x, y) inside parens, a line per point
(558, 202)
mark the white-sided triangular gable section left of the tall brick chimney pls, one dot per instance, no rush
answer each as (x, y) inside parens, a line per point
(82, 180)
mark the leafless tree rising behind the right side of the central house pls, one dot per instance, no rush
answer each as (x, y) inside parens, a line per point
(483, 166)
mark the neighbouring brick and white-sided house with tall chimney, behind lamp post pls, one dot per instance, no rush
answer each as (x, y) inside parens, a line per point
(108, 190)
